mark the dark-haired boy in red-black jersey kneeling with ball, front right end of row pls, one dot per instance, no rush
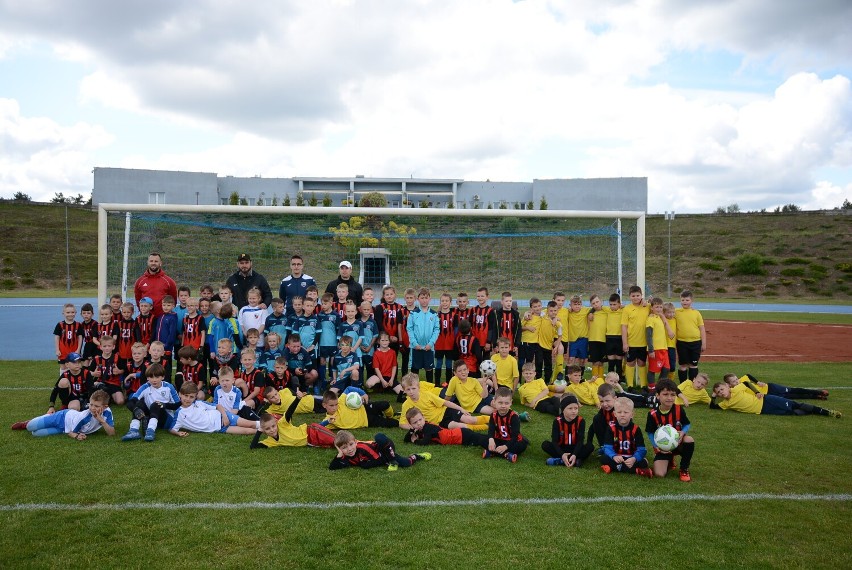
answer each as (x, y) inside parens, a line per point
(669, 413)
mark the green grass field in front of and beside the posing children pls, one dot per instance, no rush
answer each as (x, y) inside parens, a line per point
(766, 492)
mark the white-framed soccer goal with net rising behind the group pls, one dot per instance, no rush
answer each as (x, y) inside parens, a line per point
(527, 252)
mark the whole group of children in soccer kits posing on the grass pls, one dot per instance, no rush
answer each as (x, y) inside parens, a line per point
(249, 371)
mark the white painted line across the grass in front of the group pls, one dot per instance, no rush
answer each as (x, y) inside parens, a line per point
(61, 507)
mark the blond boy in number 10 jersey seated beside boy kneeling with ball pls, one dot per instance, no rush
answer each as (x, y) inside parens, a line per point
(624, 446)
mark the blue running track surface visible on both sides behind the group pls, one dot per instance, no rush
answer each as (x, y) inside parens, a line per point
(27, 324)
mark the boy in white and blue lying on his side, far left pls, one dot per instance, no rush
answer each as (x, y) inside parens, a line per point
(76, 424)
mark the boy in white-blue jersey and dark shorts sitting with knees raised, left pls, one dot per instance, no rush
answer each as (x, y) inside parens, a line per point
(149, 404)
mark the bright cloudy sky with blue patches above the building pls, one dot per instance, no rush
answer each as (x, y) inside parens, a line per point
(716, 102)
